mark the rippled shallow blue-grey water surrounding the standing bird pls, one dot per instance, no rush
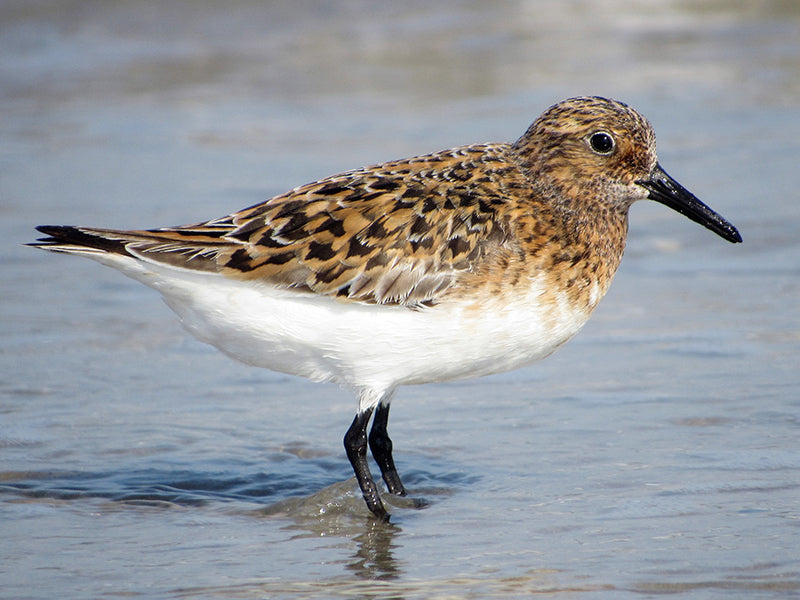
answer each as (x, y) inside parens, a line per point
(656, 453)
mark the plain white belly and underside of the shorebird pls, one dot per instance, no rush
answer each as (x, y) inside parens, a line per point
(364, 346)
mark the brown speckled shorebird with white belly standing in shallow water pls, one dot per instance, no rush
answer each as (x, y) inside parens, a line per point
(461, 263)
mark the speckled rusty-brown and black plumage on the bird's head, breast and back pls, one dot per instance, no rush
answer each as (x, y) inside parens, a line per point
(415, 231)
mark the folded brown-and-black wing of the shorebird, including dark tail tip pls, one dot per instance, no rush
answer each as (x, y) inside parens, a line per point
(398, 233)
